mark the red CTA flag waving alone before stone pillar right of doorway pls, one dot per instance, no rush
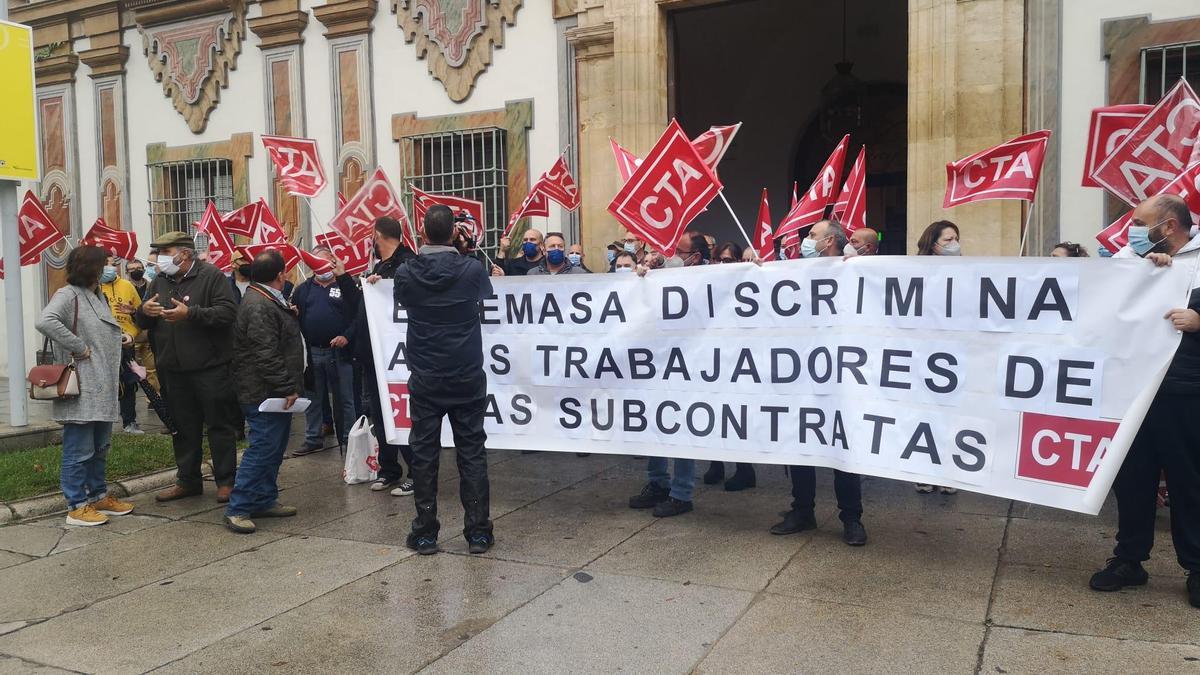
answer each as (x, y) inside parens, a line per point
(1009, 171)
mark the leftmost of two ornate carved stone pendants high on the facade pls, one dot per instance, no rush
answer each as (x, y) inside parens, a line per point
(193, 61)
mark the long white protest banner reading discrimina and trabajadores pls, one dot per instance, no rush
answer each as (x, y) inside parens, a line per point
(1017, 378)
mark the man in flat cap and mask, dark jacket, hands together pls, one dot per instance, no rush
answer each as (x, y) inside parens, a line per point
(190, 309)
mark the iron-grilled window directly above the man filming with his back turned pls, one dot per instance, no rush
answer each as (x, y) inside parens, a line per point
(471, 164)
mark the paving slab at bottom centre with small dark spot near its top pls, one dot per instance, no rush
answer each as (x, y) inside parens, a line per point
(597, 623)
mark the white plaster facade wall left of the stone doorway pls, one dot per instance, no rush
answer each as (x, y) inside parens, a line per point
(526, 68)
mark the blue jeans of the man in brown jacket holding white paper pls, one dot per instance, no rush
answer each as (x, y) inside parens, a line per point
(256, 487)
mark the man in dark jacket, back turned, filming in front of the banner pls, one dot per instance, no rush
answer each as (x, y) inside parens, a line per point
(442, 292)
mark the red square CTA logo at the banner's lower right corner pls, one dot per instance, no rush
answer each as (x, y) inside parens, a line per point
(1061, 450)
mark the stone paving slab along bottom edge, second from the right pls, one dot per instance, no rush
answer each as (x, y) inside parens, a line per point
(783, 635)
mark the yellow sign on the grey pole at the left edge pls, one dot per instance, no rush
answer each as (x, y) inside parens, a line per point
(19, 114)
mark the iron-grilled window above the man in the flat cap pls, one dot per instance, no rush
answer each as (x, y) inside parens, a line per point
(181, 192)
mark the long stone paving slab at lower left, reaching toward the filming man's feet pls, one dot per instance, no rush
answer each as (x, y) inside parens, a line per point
(191, 611)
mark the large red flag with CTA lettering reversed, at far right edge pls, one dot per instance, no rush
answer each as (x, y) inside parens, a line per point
(1156, 151)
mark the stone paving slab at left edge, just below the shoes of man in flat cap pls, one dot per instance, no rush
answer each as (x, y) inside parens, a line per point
(71, 581)
